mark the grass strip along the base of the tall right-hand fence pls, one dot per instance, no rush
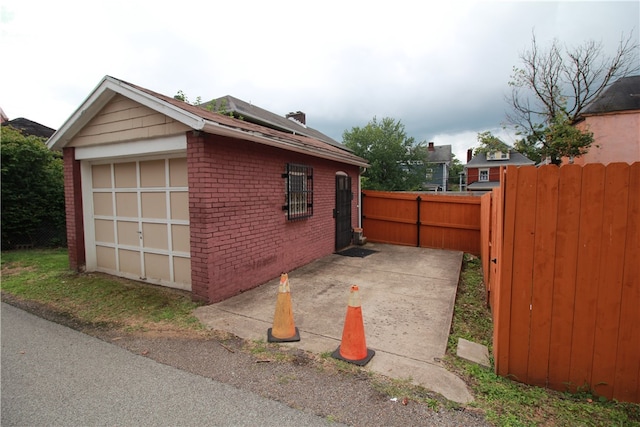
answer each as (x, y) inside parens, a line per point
(508, 403)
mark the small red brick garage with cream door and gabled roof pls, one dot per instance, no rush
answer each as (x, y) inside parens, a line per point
(169, 193)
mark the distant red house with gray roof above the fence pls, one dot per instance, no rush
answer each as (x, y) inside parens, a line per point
(483, 170)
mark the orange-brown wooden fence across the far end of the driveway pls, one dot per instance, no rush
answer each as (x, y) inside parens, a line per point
(424, 220)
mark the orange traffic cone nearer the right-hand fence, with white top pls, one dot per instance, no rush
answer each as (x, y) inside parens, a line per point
(353, 348)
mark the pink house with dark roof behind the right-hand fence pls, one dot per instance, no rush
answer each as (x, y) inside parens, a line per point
(614, 119)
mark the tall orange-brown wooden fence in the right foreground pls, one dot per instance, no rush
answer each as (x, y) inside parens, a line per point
(561, 251)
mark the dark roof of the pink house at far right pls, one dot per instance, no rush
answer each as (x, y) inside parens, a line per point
(622, 95)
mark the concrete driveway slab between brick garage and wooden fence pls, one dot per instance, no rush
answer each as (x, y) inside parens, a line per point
(407, 296)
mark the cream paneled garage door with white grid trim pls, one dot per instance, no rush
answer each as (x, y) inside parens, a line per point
(141, 220)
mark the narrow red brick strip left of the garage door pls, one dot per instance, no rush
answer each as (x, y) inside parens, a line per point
(73, 209)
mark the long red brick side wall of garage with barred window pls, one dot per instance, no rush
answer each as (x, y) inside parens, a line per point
(240, 236)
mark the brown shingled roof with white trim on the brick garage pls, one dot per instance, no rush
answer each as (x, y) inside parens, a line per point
(198, 119)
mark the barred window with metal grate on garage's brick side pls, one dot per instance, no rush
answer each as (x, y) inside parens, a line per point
(298, 191)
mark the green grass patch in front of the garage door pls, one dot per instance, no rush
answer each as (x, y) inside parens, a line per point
(42, 276)
